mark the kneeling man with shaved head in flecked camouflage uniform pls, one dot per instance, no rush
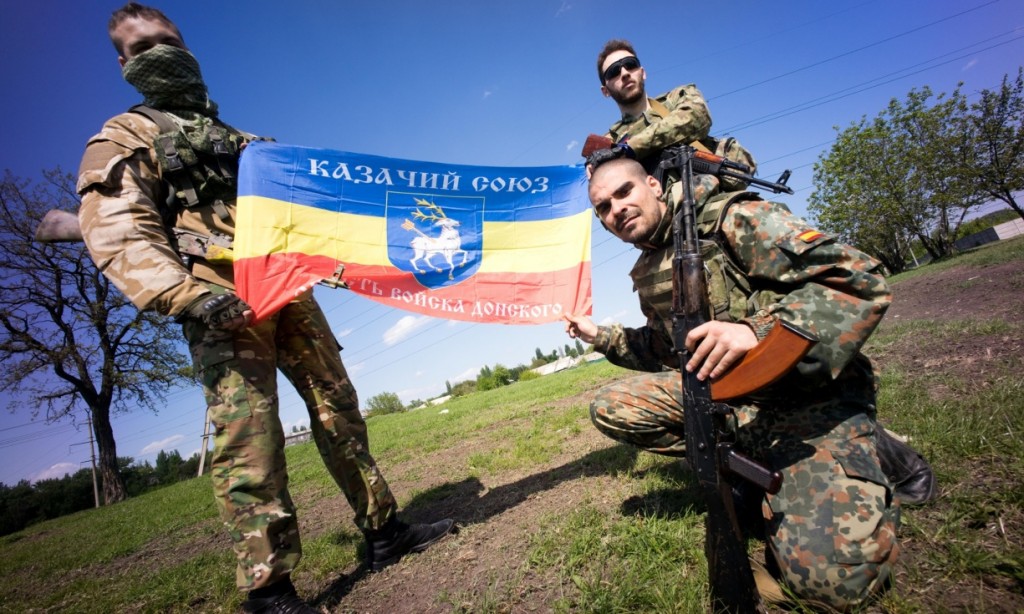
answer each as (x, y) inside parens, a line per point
(831, 532)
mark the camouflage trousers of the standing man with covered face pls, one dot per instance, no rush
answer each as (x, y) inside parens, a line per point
(250, 479)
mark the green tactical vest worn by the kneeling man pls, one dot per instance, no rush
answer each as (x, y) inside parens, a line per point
(733, 296)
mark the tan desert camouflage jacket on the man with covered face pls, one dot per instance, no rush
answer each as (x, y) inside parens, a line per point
(121, 217)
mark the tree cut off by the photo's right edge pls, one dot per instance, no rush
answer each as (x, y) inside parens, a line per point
(997, 125)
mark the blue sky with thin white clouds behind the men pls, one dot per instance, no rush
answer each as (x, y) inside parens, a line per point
(479, 83)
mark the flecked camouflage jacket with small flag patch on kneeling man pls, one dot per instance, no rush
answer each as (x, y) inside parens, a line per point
(774, 267)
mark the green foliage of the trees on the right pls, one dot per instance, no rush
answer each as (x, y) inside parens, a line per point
(913, 174)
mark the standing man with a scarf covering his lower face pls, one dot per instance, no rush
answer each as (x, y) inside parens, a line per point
(133, 231)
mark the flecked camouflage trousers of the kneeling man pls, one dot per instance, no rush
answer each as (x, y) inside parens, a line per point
(832, 528)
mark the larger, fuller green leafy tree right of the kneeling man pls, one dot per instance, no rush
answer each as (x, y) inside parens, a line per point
(895, 178)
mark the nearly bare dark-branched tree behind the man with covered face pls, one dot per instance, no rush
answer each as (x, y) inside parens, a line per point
(74, 348)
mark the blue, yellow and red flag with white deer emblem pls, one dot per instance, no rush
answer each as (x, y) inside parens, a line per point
(480, 244)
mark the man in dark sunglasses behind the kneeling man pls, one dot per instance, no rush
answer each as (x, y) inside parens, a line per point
(650, 125)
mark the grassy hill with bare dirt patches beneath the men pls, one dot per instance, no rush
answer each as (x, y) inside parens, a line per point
(557, 518)
